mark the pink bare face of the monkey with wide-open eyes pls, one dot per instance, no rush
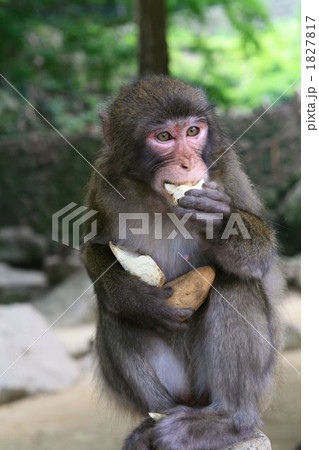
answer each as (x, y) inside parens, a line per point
(181, 142)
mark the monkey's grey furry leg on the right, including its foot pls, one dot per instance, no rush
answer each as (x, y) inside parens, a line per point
(233, 359)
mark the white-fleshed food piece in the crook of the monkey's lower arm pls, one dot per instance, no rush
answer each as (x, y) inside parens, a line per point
(142, 266)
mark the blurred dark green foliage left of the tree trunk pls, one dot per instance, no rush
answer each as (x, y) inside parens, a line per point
(65, 58)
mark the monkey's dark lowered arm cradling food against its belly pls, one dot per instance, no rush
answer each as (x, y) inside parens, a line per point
(126, 296)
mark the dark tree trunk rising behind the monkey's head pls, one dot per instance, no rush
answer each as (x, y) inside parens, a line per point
(151, 21)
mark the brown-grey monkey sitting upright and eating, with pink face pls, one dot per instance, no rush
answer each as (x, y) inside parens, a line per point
(210, 371)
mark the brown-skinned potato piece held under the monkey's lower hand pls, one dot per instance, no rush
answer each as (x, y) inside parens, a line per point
(191, 289)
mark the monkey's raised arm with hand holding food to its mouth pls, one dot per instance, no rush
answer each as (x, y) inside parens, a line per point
(247, 254)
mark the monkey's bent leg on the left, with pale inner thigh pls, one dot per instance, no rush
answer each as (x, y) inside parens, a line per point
(143, 372)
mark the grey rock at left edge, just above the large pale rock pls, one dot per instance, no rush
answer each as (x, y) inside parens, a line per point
(20, 285)
